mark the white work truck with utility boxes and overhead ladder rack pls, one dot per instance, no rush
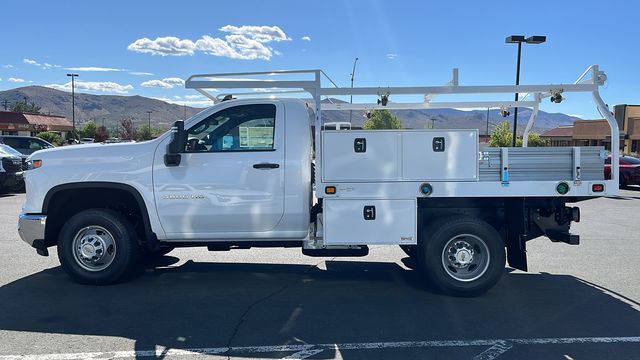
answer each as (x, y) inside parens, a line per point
(241, 174)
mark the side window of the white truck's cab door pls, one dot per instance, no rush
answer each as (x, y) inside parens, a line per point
(239, 128)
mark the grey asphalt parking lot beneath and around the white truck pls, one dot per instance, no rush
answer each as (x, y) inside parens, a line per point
(577, 302)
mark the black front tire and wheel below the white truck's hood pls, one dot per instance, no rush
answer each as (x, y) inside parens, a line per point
(94, 232)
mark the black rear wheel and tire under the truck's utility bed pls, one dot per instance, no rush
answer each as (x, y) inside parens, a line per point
(445, 244)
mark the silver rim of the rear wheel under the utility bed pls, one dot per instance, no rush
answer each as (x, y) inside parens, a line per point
(465, 257)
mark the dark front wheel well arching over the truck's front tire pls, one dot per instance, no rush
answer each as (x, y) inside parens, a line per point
(63, 203)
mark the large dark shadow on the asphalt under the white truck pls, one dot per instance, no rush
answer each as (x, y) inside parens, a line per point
(204, 305)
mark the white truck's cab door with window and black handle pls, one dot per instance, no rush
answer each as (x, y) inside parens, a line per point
(230, 181)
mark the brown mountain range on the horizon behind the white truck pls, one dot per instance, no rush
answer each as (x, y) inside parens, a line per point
(109, 109)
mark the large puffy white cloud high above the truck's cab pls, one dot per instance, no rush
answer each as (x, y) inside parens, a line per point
(243, 42)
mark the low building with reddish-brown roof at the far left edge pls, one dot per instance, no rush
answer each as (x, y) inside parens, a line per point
(12, 123)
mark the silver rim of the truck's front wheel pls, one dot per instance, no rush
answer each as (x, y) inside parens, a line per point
(94, 248)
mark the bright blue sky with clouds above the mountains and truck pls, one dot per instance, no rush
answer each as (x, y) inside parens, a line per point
(148, 48)
